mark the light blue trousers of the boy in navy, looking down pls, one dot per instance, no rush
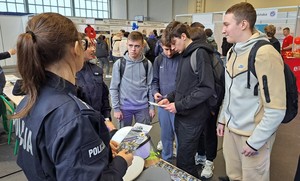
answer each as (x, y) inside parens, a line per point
(167, 133)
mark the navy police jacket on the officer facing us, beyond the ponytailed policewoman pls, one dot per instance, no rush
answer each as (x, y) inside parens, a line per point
(93, 89)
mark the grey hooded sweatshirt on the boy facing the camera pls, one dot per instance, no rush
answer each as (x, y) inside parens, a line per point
(132, 92)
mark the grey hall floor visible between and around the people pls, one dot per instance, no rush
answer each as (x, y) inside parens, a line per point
(283, 160)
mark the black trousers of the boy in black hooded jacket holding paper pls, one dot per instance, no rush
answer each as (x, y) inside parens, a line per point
(188, 134)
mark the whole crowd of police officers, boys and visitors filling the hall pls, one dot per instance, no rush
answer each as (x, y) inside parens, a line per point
(64, 122)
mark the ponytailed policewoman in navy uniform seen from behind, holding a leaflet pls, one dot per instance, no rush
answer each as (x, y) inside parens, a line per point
(61, 137)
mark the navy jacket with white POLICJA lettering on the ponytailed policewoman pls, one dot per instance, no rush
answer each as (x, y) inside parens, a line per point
(62, 138)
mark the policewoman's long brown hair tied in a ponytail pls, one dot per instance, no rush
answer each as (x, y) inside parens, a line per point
(46, 41)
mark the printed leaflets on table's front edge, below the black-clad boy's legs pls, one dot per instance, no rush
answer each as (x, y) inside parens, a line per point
(176, 173)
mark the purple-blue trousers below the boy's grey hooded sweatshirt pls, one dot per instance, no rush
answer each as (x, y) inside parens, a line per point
(140, 116)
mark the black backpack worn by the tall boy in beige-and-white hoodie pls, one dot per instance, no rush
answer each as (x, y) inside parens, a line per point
(290, 83)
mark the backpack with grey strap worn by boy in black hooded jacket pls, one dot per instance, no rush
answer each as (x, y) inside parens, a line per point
(219, 76)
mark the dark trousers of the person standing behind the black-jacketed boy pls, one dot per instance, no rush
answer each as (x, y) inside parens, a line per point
(208, 142)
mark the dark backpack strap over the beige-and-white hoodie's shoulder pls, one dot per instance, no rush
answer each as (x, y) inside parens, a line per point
(251, 60)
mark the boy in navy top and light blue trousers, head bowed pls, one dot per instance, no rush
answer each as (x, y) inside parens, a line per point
(164, 75)
